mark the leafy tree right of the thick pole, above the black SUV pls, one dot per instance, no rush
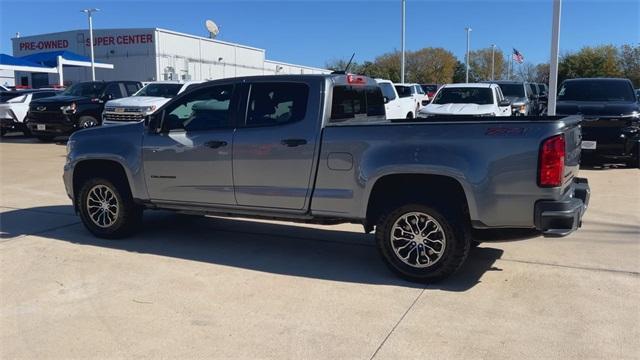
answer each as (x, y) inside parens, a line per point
(599, 61)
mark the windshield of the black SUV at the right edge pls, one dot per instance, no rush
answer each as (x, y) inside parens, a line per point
(596, 90)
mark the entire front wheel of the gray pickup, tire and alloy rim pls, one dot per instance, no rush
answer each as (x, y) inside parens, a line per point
(107, 209)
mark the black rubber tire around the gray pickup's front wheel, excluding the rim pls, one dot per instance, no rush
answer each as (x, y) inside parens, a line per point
(128, 213)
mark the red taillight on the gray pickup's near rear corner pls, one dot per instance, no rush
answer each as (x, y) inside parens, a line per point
(552, 155)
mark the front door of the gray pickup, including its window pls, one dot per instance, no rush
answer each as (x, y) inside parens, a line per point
(190, 159)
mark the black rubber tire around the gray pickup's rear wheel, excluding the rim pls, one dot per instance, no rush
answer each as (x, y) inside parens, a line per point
(456, 248)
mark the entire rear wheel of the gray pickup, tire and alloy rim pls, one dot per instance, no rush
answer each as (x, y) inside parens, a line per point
(422, 243)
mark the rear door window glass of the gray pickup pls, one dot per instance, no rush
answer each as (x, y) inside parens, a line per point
(277, 103)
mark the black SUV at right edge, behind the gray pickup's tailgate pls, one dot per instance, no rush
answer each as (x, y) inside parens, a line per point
(611, 126)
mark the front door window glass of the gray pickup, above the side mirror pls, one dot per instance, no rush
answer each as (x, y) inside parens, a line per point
(205, 109)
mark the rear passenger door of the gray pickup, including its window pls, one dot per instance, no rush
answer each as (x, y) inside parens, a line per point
(275, 146)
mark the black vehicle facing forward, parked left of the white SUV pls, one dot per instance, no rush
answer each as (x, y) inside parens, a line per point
(78, 107)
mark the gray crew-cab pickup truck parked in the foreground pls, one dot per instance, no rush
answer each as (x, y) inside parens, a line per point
(319, 149)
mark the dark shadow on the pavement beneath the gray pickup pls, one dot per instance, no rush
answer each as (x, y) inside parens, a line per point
(274, 248)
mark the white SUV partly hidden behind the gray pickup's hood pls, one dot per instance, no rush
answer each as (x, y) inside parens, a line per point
(144, 102)
